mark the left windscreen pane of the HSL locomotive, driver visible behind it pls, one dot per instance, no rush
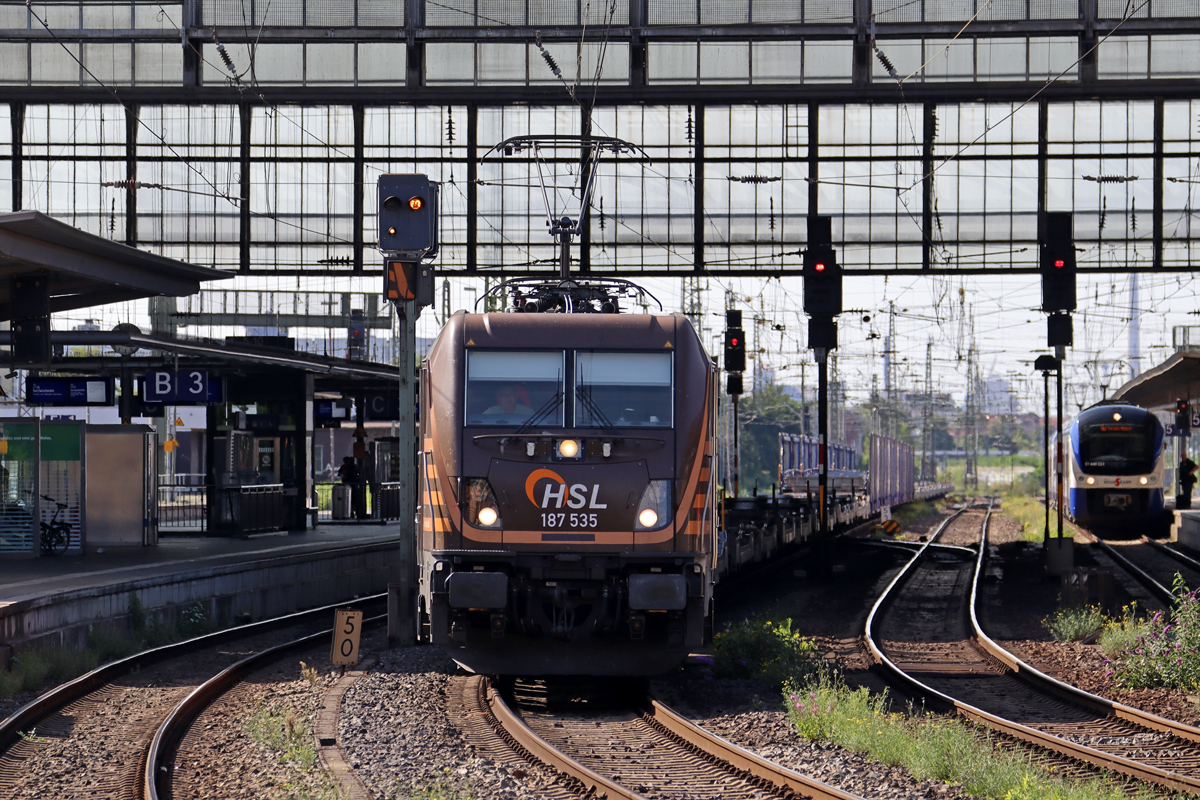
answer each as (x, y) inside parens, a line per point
(513, 389)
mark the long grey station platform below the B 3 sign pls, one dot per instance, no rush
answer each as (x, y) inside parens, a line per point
(58, 601)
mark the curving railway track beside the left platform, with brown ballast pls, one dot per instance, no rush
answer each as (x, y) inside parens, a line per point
(110, 733)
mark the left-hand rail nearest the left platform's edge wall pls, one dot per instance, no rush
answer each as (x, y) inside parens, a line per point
(31, 714)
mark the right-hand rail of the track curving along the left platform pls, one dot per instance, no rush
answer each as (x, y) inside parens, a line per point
(155, 777)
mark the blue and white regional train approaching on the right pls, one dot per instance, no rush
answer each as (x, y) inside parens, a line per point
(1113, 470)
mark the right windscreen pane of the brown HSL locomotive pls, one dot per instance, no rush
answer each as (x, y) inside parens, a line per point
(623, 390)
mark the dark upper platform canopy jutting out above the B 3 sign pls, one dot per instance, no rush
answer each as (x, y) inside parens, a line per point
(85, 269)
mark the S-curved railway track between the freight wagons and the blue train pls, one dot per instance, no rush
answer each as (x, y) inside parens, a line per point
(925, 631)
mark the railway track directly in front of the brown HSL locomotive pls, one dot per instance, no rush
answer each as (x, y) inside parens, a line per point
(613, 742)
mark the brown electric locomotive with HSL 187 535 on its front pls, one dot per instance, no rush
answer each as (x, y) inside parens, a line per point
(567, 519)
